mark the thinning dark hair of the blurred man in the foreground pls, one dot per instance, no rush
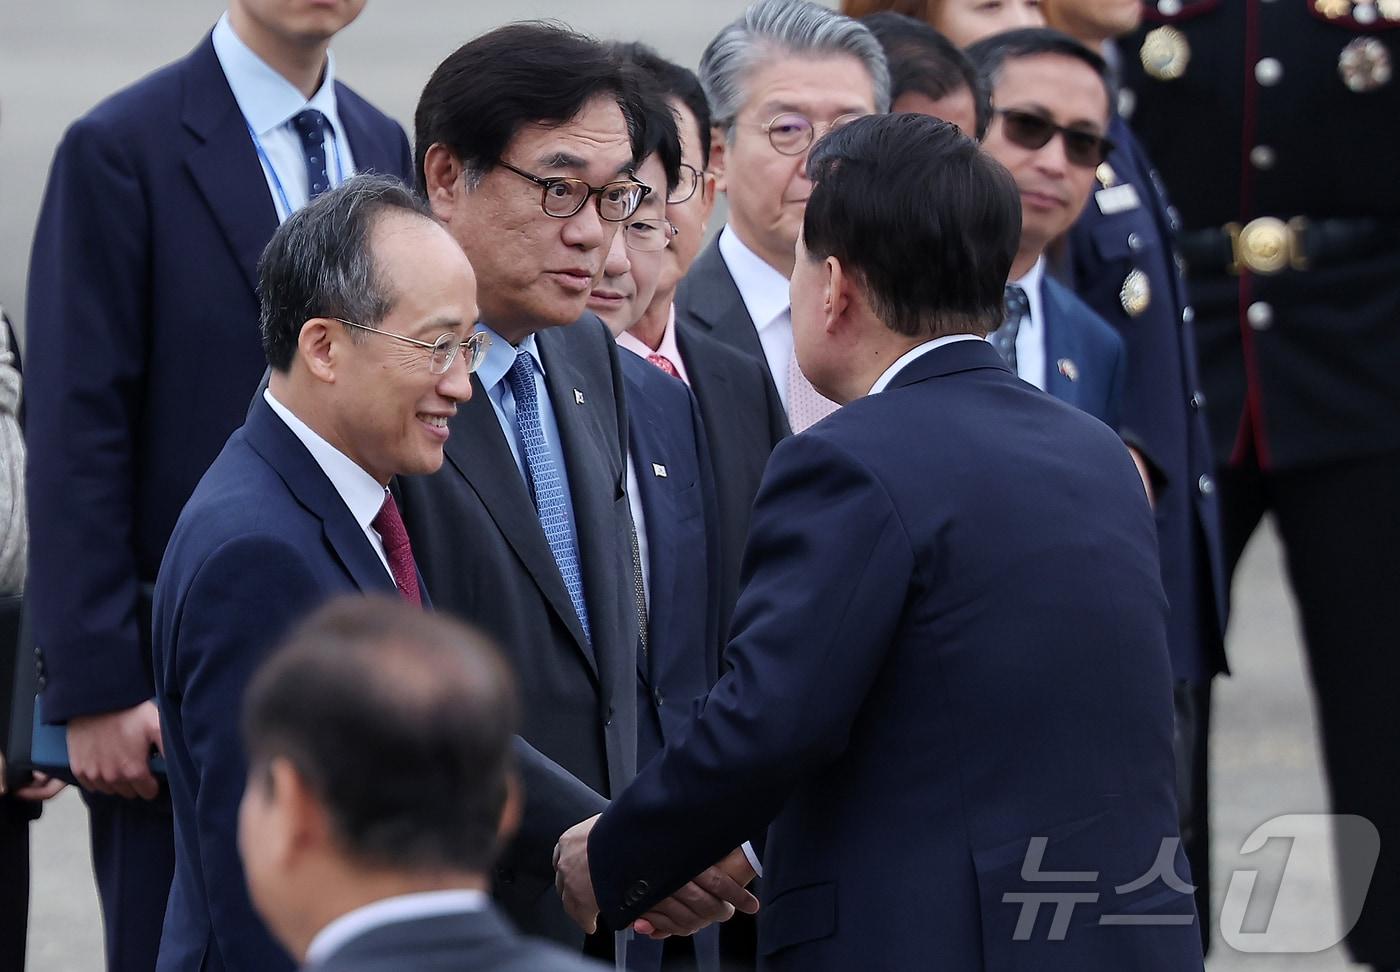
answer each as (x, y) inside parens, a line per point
(400, 722)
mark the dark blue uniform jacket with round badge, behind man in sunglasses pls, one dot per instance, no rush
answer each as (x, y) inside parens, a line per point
(1163, 408)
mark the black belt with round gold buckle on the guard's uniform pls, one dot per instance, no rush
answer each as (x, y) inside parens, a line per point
(1272, 246)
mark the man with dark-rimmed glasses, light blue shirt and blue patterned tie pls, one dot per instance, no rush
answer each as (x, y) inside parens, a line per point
(528, 141)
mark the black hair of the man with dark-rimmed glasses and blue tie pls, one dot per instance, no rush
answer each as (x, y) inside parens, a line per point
(519, 75)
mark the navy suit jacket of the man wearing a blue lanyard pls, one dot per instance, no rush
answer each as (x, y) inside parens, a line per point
(143, 352)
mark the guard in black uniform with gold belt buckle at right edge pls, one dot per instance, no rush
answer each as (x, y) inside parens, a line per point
(1276, 125)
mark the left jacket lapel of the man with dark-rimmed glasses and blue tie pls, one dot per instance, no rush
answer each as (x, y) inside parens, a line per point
(479, 453)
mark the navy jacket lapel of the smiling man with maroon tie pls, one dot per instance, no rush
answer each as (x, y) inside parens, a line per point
(285, 453)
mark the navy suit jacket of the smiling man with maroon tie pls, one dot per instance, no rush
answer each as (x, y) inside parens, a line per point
(264, 540)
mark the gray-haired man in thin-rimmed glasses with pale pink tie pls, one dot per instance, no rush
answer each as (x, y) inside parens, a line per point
(779, 78)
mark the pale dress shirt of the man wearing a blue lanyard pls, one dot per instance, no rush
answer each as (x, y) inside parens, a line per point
(269, 102)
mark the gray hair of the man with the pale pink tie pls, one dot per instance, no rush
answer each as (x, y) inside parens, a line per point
(794, 27)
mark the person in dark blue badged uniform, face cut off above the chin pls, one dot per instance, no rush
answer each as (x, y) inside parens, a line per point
(1122, 264)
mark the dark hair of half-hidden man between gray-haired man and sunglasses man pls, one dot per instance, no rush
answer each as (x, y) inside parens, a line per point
(925, 62)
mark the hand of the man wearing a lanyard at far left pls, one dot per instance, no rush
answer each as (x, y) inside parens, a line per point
(111, 753)
